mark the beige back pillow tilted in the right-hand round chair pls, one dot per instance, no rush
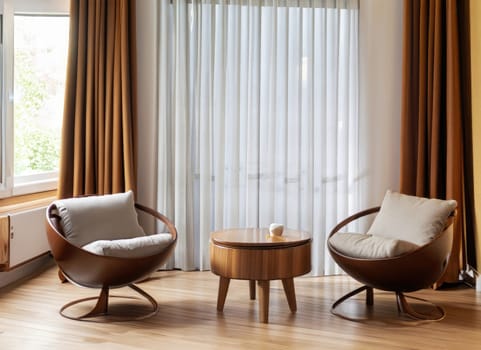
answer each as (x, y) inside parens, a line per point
(410, 218)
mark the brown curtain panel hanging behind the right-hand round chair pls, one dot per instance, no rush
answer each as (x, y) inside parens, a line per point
(436, 109)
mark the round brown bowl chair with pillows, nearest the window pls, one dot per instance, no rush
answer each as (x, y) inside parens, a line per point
(97, 242)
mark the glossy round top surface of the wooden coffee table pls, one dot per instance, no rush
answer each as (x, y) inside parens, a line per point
(258, 237)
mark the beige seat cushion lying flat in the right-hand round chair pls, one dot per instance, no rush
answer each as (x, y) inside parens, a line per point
(367, 246)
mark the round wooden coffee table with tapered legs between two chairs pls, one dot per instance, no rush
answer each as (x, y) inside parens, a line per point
(252, 254)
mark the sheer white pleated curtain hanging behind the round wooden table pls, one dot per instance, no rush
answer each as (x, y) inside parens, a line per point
(258, 119)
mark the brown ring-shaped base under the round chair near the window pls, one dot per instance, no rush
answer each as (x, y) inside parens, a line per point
(100, 312)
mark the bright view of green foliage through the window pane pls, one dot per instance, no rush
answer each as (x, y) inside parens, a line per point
(39, 75)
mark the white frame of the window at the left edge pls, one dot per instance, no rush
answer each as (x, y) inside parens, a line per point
(9, 184)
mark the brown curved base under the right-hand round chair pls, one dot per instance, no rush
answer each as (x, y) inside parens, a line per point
(403, 306)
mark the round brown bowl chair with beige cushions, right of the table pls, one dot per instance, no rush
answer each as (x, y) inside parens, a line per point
(406, 249)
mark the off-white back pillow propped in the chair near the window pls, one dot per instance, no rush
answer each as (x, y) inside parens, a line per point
(93, 218)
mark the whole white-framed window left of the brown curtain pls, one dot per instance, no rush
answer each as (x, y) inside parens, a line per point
(34, 48)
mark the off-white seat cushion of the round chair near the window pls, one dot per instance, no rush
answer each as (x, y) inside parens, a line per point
(132, 247)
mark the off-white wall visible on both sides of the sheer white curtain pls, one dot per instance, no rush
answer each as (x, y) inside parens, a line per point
(380, 96)
